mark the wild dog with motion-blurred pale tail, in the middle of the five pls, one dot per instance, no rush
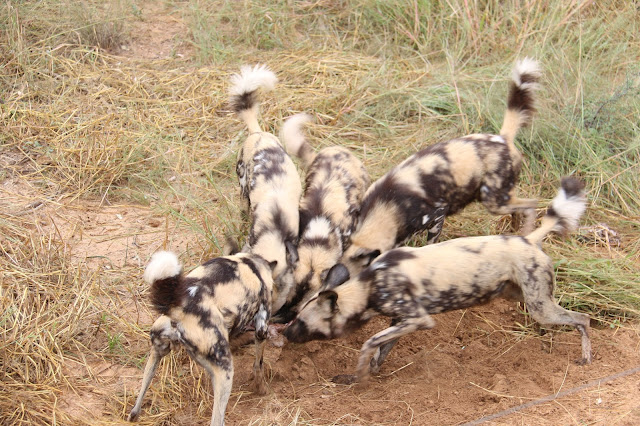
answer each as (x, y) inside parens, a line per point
(335, 184)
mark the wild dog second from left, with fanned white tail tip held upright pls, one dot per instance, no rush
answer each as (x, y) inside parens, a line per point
(269, 182)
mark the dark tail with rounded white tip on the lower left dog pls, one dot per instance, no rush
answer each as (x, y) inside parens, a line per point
(163, 273)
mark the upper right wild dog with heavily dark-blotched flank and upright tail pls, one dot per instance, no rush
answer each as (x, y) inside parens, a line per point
(443, 178)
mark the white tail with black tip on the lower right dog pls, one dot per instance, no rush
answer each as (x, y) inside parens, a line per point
(565, 211)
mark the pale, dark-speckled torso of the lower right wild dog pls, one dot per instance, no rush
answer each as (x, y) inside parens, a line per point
(457, 274)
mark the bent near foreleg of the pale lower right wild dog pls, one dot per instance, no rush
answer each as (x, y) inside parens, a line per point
(389, 336)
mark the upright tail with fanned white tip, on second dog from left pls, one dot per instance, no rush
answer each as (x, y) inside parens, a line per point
(244, 92)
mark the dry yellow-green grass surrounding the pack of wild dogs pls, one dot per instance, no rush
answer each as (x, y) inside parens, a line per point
(85, 121)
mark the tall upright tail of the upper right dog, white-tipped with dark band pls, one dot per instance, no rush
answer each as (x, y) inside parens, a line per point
(520, 104)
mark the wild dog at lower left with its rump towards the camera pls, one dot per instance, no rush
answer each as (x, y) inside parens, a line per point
(203, 311)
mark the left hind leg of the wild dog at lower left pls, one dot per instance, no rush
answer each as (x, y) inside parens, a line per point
(162, 334)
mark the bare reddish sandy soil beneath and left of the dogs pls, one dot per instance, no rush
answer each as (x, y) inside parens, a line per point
(475, 363)
